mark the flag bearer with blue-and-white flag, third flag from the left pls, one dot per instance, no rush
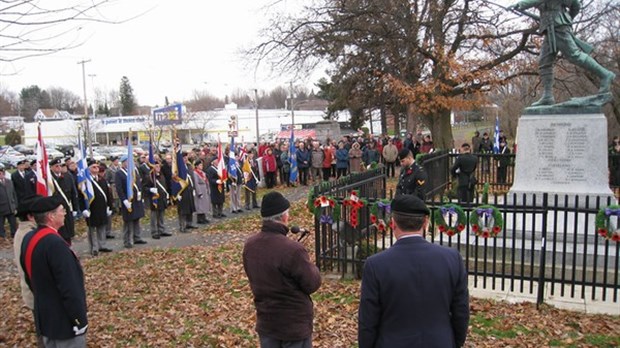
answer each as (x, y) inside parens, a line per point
(128, 184)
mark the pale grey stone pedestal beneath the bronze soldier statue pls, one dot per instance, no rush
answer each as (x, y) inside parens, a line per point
(564, 155)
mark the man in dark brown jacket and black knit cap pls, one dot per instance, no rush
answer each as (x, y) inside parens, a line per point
(282, 278)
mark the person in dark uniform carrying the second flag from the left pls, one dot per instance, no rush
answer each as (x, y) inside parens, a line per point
(97, 210)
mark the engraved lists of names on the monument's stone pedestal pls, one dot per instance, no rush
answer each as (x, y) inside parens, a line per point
(559, 145)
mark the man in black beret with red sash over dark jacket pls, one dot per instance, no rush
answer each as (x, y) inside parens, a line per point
(57, 282)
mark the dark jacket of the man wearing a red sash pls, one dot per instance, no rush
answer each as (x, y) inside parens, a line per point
(58, 286)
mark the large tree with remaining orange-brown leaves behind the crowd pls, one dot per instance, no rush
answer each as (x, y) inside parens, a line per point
(429, 56)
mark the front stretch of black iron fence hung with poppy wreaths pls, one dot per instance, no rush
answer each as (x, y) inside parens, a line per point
(549, 247)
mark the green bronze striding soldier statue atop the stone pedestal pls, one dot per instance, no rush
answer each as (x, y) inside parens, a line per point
(556, 19)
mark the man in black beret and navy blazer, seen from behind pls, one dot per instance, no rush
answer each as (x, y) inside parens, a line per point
(415, 293)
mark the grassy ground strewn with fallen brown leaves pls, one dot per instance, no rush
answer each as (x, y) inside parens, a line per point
(199, 296)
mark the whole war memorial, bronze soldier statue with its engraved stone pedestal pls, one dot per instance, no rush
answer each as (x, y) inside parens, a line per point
(562, 147)
